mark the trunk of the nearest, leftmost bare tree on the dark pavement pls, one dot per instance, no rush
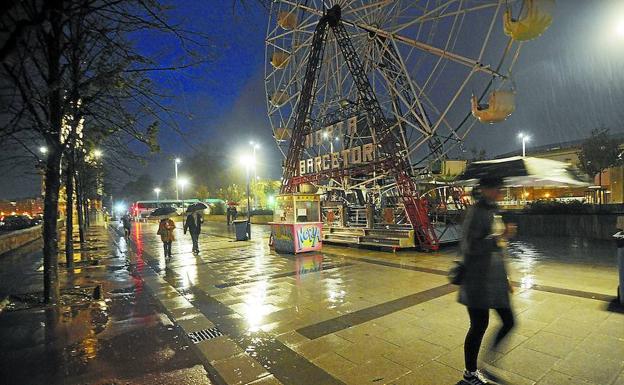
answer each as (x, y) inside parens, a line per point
(50, 231)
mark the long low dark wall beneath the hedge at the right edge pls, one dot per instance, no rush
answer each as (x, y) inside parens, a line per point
(594, 226)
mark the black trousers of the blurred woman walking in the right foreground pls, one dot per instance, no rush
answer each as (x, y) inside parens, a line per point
(479, 320)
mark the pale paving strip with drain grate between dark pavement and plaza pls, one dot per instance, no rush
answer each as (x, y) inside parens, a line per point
(209, 344)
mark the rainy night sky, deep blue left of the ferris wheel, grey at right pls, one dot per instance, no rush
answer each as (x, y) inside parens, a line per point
(568, 82)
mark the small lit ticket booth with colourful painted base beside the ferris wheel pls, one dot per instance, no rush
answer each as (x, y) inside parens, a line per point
(297, 226)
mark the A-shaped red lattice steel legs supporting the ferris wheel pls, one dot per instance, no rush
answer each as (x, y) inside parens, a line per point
(392, 152)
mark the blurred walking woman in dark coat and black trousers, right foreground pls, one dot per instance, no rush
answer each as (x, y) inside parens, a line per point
(485, 284)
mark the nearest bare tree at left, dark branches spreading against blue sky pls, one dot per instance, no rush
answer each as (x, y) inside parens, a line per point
(71, 63)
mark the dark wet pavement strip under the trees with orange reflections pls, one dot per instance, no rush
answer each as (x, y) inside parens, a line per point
(124, 338)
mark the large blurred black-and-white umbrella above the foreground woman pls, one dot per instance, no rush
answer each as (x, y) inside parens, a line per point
(523, 171)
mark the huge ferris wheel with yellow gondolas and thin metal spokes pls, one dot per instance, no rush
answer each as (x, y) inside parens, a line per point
(436, 69)
